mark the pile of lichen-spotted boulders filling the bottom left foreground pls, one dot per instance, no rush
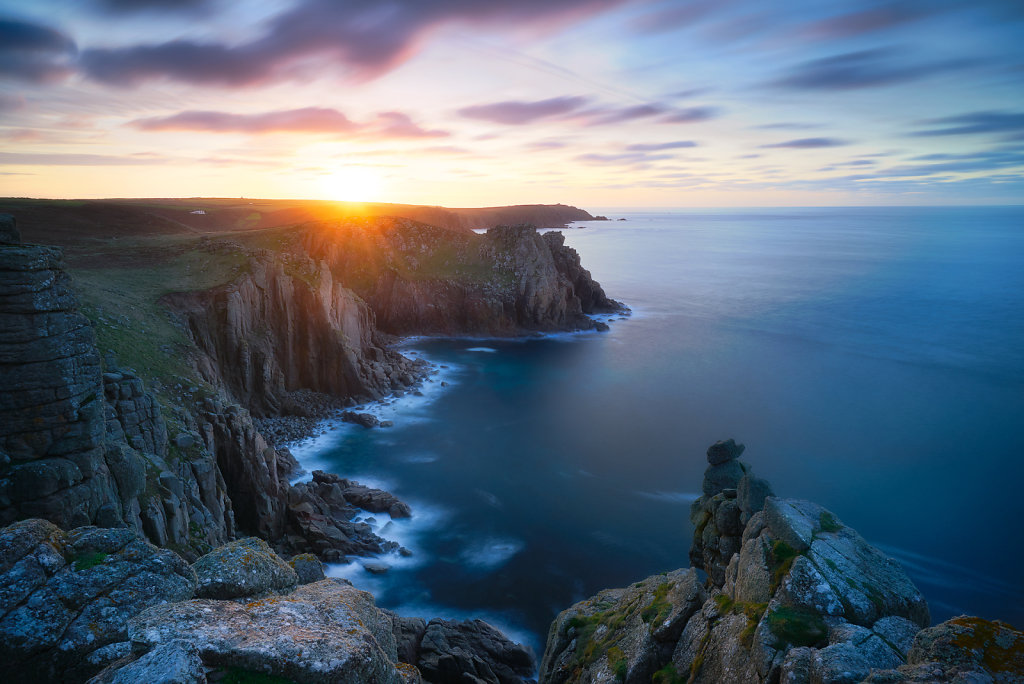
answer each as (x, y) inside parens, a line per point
(106, 605)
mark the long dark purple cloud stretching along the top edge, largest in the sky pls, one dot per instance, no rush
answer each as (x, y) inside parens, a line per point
(367, 36)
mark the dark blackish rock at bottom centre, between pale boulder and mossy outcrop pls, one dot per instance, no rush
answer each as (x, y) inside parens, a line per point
(454, 652)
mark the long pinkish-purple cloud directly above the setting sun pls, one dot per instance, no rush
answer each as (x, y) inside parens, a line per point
(389, 125)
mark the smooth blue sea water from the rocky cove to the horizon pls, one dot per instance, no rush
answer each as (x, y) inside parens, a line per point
(871, 360)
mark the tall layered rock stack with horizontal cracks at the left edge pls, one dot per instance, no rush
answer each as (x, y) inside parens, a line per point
(52, 410)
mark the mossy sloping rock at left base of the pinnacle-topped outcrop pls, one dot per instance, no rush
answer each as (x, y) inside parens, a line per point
(630, 631)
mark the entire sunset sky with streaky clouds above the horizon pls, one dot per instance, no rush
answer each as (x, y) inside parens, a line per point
(473, 103)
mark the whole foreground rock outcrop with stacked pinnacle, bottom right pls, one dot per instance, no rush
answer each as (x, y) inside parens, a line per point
(793, 596)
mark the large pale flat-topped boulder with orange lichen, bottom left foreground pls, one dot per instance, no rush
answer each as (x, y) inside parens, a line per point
(323, 632)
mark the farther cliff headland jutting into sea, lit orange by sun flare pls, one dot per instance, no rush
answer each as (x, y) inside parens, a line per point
(421, 280)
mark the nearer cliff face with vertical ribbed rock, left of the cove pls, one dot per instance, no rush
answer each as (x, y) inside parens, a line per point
(272, 332)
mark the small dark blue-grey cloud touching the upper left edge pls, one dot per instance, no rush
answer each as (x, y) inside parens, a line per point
(33, 53)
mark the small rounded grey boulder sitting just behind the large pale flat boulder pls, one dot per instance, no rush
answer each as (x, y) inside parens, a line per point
(246, 568)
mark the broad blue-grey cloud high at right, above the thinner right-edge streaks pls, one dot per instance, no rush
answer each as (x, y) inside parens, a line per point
(866, 69)
